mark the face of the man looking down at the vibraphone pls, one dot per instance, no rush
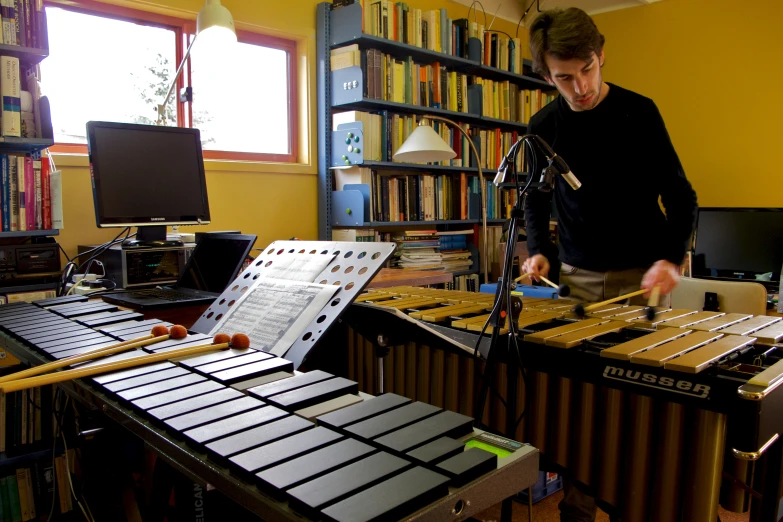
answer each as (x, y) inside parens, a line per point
(578, 81)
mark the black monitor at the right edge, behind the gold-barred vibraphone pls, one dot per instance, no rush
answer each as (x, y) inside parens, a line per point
(739, 243)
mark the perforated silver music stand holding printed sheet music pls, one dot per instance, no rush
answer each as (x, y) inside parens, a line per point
(305, 285)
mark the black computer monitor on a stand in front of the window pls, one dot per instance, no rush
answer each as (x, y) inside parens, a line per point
(147, 176)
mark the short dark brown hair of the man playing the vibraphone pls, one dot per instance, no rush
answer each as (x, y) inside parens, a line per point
(563, 34)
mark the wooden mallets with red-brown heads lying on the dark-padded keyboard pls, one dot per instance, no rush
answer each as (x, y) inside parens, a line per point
(34, 377)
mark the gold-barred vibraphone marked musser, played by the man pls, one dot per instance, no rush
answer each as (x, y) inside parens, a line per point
(652, 416)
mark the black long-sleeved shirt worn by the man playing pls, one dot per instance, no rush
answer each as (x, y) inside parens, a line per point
(622, 154)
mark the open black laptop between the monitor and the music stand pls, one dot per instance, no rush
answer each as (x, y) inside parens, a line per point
(215, 262)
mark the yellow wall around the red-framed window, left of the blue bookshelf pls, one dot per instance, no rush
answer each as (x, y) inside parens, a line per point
(272, 201)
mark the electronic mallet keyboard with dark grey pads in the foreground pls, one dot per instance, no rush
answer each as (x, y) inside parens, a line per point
(285, 445)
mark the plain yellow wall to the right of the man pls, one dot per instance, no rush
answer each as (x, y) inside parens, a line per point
(713, 69)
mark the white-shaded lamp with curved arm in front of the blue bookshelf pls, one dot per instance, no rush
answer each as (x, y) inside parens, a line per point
(425, 145)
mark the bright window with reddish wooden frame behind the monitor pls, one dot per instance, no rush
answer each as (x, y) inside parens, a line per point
(115, 64)
